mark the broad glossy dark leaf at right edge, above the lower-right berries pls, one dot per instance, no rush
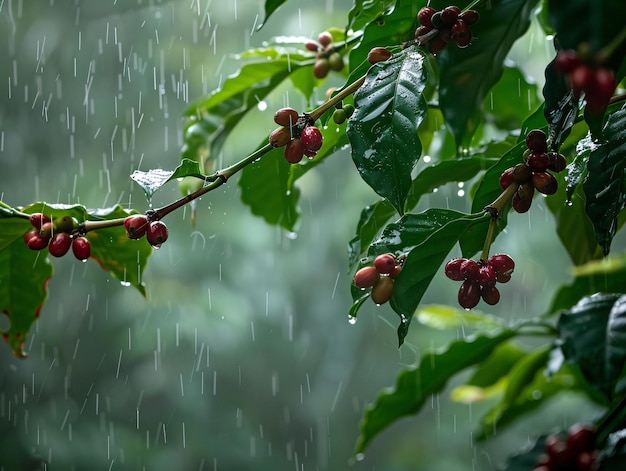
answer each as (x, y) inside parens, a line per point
(592, 336)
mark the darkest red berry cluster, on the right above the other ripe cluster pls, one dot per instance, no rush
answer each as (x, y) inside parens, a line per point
(532, 174)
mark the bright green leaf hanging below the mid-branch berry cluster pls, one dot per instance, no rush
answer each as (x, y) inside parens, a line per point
(265, 189)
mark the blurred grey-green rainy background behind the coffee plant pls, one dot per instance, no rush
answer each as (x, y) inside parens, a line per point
(241, 357)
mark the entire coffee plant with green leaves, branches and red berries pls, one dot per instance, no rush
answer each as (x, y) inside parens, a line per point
(412, 68)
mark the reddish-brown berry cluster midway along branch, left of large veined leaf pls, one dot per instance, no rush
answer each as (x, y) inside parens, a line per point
(296, 134)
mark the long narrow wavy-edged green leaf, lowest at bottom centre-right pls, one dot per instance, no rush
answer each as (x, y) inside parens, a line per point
(415, 386)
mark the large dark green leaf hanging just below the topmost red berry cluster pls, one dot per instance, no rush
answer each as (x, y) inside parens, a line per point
(468, 74)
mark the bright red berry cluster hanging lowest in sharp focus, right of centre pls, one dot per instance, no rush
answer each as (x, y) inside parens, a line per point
(479, 278)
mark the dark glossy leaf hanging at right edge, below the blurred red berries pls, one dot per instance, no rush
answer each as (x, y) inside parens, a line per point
(604, 185)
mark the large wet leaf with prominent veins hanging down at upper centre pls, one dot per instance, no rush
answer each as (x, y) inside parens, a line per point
(383, 130)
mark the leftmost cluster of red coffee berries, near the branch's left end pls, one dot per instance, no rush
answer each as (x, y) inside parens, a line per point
(58, 236)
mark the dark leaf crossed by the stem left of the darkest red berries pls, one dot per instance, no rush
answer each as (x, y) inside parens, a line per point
(487, 192)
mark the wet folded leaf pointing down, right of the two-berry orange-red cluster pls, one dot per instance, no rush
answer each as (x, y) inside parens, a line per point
(428, 237)
